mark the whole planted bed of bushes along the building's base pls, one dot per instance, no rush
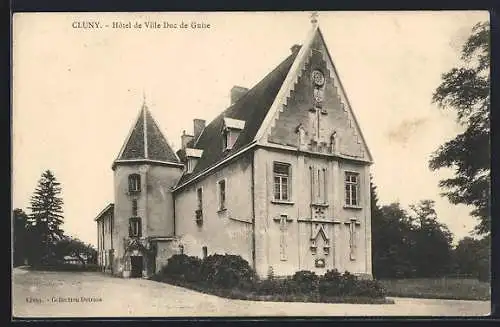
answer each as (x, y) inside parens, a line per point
(231, 276)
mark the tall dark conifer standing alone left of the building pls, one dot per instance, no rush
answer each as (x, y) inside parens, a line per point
(46, 218)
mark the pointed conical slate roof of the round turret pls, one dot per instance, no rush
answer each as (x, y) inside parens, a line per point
(156, 143)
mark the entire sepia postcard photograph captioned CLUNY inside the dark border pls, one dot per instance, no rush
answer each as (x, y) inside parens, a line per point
(251, 164)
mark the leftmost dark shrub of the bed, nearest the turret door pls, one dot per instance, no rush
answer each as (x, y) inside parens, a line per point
(182, 267)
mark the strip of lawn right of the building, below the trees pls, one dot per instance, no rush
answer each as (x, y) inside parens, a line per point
(439, 288)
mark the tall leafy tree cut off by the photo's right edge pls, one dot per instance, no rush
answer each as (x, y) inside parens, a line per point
(466, 90)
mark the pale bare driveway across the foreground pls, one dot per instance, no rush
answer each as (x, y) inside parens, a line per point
(91, 294)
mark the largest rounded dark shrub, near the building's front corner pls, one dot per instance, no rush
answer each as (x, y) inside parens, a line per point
(227, 271)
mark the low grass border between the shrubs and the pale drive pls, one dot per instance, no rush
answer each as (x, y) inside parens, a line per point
(238, 294)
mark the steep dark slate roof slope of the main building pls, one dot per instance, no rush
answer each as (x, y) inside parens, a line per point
(251, 107)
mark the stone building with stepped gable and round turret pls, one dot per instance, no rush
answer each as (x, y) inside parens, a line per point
(280, 177)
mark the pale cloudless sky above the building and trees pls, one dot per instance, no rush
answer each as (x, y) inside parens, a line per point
(77, 92)
